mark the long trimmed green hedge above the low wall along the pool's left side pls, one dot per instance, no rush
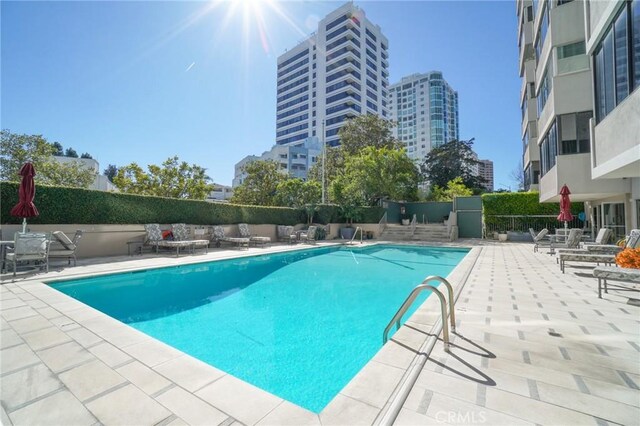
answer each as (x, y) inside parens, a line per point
(62, 205)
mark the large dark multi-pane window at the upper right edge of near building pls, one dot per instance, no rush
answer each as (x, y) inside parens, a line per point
(617, 59)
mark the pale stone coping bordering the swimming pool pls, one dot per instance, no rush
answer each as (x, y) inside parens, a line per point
(369, 396)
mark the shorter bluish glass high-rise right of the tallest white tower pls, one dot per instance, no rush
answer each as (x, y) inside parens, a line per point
(426, 110)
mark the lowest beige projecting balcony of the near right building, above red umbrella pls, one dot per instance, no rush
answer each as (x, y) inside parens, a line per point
(575, 171)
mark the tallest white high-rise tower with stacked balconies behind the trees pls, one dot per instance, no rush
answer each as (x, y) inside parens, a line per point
(339, 72)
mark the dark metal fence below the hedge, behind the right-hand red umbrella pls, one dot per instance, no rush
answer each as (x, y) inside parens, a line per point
(522, 223)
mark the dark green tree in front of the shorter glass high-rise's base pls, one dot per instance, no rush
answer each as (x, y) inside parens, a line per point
(449, 161)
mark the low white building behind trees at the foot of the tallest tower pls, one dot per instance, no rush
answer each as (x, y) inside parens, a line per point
(294, 160)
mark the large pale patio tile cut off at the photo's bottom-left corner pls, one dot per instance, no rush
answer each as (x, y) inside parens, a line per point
(47, 412)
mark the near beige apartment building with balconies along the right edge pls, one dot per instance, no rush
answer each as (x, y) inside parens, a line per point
(567, 47)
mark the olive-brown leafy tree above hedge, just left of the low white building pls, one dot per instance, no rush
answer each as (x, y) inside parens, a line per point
(261, 184)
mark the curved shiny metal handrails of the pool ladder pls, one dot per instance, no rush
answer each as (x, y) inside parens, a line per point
(443, 308)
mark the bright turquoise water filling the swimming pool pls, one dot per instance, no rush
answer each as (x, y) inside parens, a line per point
(299, 325)
